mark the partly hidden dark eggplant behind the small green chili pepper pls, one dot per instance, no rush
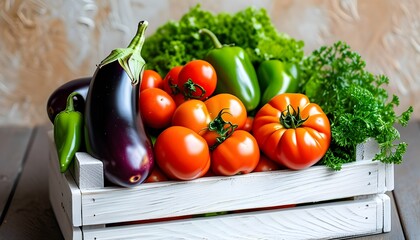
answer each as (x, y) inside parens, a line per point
(58, 99)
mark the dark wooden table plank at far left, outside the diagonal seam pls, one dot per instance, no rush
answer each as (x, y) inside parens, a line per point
(14, 142)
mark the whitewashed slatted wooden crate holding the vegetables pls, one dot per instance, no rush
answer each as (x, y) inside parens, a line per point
(331, 204)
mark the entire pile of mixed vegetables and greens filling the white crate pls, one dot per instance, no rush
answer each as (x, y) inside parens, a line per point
(226, 94)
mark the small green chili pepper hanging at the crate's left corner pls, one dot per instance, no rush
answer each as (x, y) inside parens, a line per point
(68, 127)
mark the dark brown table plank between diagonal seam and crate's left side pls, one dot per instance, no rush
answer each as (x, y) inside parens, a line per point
(30, 215)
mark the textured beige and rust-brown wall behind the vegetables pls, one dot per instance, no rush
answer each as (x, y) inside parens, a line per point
(44, 43)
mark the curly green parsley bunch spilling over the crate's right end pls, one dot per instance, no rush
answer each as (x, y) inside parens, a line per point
(355, 102)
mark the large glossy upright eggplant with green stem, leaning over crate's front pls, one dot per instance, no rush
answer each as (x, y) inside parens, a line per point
(114, 131)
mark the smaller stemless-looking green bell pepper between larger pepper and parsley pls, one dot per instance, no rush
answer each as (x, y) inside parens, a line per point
(276, 77)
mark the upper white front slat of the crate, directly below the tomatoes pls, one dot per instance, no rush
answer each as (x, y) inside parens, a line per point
(214, 194)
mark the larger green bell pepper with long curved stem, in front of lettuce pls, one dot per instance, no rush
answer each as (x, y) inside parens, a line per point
(235, 73)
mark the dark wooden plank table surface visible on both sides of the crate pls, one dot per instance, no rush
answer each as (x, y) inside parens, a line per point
(26, 213)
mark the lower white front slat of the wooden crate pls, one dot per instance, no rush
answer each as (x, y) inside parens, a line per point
(333, 220)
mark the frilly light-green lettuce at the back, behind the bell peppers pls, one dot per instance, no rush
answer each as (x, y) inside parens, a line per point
(177, 42)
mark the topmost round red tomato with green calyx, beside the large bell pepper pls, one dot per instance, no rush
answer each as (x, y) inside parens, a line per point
(197, 80)
